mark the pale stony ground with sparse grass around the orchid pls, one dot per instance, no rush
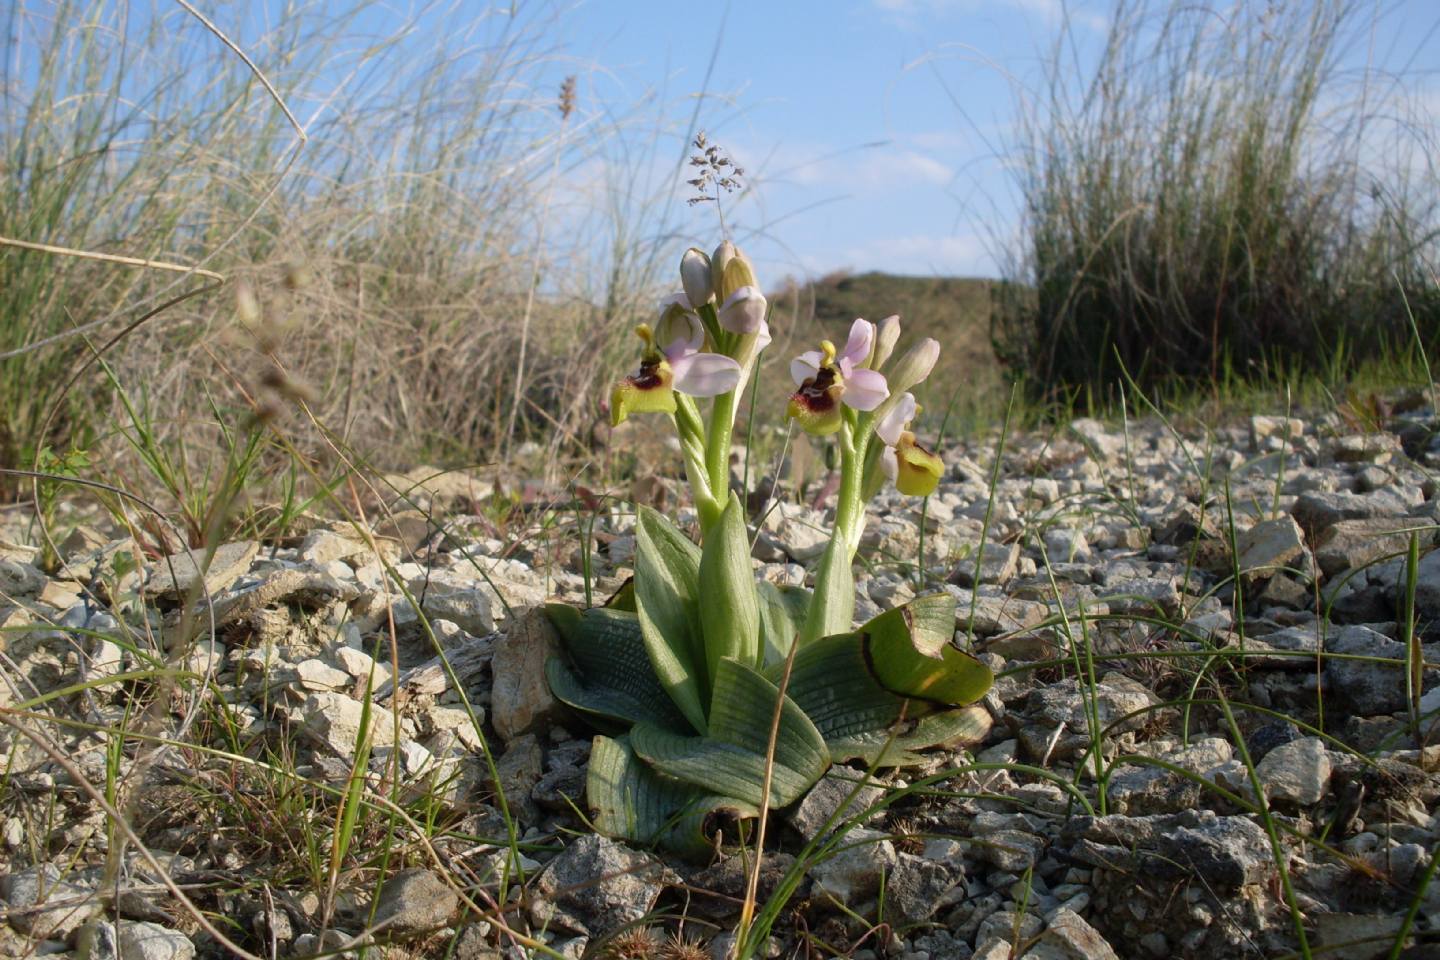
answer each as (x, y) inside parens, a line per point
(1141, 584)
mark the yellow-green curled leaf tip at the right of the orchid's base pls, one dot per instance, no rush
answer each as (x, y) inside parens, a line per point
(909, 650)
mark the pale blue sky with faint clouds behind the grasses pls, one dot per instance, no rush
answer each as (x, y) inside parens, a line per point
(876, 133)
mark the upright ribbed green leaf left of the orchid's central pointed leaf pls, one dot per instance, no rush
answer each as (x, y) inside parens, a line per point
(667, 572)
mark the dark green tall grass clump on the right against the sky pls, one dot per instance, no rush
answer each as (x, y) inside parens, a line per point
(1212, 195)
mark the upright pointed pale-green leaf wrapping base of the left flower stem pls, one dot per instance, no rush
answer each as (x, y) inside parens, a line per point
(729, 611)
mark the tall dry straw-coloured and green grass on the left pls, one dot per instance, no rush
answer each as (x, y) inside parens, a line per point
(374, 184)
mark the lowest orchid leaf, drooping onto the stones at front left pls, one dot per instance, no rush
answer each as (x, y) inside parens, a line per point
(634, 802)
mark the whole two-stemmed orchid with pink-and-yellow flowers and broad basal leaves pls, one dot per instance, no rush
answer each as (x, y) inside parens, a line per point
(719, 693)
